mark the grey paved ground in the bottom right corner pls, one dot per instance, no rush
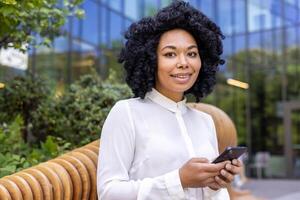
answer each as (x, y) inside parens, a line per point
(274, 189)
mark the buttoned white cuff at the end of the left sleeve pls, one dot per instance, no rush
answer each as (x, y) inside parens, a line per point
(173, 184)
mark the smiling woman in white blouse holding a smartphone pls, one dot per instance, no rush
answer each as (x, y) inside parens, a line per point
(153, 146)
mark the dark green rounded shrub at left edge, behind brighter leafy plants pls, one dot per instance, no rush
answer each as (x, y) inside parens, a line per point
(22, 96)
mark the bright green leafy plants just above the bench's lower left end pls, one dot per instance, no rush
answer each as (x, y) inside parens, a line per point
(15, 154)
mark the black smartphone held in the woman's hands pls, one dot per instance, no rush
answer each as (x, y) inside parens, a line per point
(230, 153)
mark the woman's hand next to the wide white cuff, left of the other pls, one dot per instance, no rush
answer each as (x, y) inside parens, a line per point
(198, 172)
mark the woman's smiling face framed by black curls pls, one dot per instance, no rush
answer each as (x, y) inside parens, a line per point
(178, 63)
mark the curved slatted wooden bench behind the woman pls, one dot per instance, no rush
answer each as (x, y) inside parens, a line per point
(73, 175)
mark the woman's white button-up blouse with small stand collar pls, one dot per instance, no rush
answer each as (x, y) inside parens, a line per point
(143, 144)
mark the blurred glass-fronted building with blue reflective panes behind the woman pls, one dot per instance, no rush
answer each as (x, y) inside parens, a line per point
(261, 49)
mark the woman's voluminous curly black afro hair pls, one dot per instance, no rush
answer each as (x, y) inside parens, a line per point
(139, 53)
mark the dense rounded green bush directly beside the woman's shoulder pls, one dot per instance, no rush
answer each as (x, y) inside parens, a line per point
(79, 114)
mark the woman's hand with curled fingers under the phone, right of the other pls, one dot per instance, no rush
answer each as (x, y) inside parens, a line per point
(227, 175)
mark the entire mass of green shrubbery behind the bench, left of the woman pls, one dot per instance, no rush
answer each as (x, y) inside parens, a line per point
(53, 125)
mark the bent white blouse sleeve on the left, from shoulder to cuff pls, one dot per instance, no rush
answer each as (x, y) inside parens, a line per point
(117, 150)
